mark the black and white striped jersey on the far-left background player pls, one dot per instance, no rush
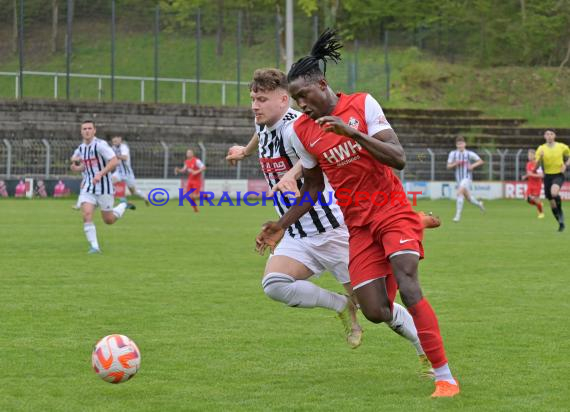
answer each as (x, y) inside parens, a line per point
(95, 156)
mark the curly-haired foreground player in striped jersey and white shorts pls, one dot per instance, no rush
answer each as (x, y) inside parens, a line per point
(319, 240)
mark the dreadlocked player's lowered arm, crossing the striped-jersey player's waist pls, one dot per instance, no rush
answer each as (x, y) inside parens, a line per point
(272, 232)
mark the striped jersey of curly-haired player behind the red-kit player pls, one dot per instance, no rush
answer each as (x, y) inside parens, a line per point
(277, 156)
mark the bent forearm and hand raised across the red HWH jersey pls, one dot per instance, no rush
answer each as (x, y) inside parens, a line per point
(384, 146)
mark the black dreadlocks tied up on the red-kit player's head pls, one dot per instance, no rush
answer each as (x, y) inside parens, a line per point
(325, 48)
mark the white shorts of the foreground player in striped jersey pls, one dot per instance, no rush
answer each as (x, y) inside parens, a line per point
(322, 252)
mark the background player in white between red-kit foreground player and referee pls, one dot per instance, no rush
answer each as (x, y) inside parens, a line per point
(464, 162)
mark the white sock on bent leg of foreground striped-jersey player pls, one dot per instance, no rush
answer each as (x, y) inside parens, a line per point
(301, 293)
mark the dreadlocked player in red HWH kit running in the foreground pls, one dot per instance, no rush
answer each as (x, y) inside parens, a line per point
(348, 138)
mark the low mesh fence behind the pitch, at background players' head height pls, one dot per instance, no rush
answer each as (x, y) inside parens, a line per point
(48, 158)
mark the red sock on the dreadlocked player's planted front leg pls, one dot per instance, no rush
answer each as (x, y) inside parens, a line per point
(428, 332)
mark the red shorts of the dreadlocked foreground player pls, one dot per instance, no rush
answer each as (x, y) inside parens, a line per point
(371, 246)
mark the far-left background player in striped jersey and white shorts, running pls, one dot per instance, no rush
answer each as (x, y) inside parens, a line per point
(96, 161)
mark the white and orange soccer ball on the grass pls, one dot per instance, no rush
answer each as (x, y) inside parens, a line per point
(116, 358)
